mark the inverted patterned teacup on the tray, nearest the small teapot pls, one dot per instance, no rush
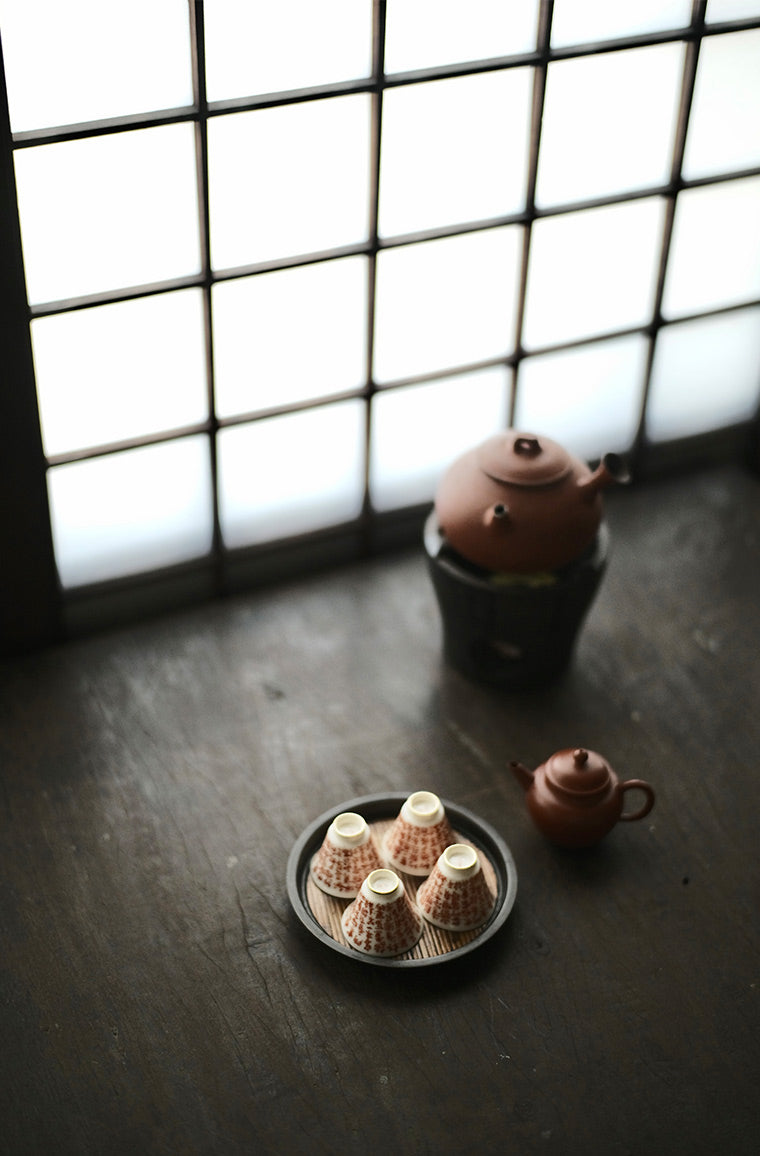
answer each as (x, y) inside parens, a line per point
(456, 896)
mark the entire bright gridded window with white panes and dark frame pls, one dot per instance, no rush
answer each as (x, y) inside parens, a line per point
(268, 279)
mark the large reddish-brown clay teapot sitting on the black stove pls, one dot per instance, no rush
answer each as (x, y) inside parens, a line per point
(520, 503)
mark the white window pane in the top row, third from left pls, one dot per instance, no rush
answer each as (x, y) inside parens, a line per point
(423, 34)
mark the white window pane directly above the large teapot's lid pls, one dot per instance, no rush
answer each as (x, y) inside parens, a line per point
(588, 398)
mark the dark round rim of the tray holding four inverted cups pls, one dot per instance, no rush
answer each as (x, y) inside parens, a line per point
(386, 805)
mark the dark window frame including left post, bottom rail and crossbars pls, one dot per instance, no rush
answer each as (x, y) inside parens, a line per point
(34, 611)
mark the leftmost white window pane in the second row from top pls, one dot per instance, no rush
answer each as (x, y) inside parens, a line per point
(108, 212)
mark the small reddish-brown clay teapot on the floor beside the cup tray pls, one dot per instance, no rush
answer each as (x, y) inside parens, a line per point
(575, 798)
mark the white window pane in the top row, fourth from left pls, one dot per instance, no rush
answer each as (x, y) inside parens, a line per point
(581, 21)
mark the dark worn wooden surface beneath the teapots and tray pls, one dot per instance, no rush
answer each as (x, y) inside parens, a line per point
(159, 994)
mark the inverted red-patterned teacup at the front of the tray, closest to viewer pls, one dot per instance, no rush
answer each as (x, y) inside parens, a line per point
(382, 921)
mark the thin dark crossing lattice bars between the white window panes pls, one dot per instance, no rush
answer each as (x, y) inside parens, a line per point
(203, 114)
